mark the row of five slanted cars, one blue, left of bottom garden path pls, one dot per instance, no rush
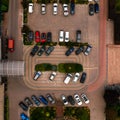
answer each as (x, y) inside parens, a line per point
(28, 102)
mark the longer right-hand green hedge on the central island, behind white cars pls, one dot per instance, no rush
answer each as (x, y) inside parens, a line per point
(70, 67)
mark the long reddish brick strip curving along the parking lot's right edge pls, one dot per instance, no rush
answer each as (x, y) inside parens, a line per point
(102, 73)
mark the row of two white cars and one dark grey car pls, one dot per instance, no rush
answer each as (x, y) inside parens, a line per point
(64, 36)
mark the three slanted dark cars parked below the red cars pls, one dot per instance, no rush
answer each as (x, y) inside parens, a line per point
(41, 50)
